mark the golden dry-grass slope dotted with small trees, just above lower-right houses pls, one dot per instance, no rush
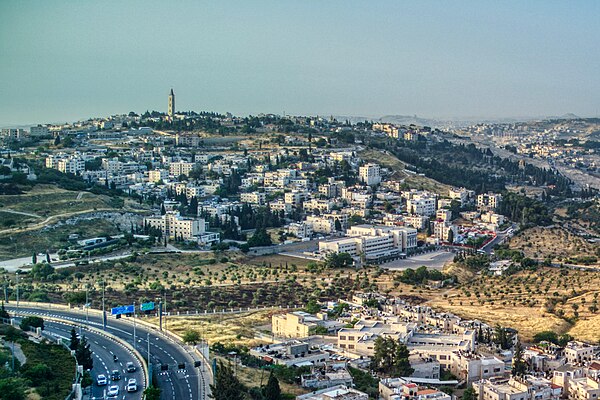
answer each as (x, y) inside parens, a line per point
(524, 301)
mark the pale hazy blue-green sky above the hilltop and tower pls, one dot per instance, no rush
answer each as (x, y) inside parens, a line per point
(65, 60)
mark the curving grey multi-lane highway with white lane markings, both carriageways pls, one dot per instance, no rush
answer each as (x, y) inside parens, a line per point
(175, 383)
